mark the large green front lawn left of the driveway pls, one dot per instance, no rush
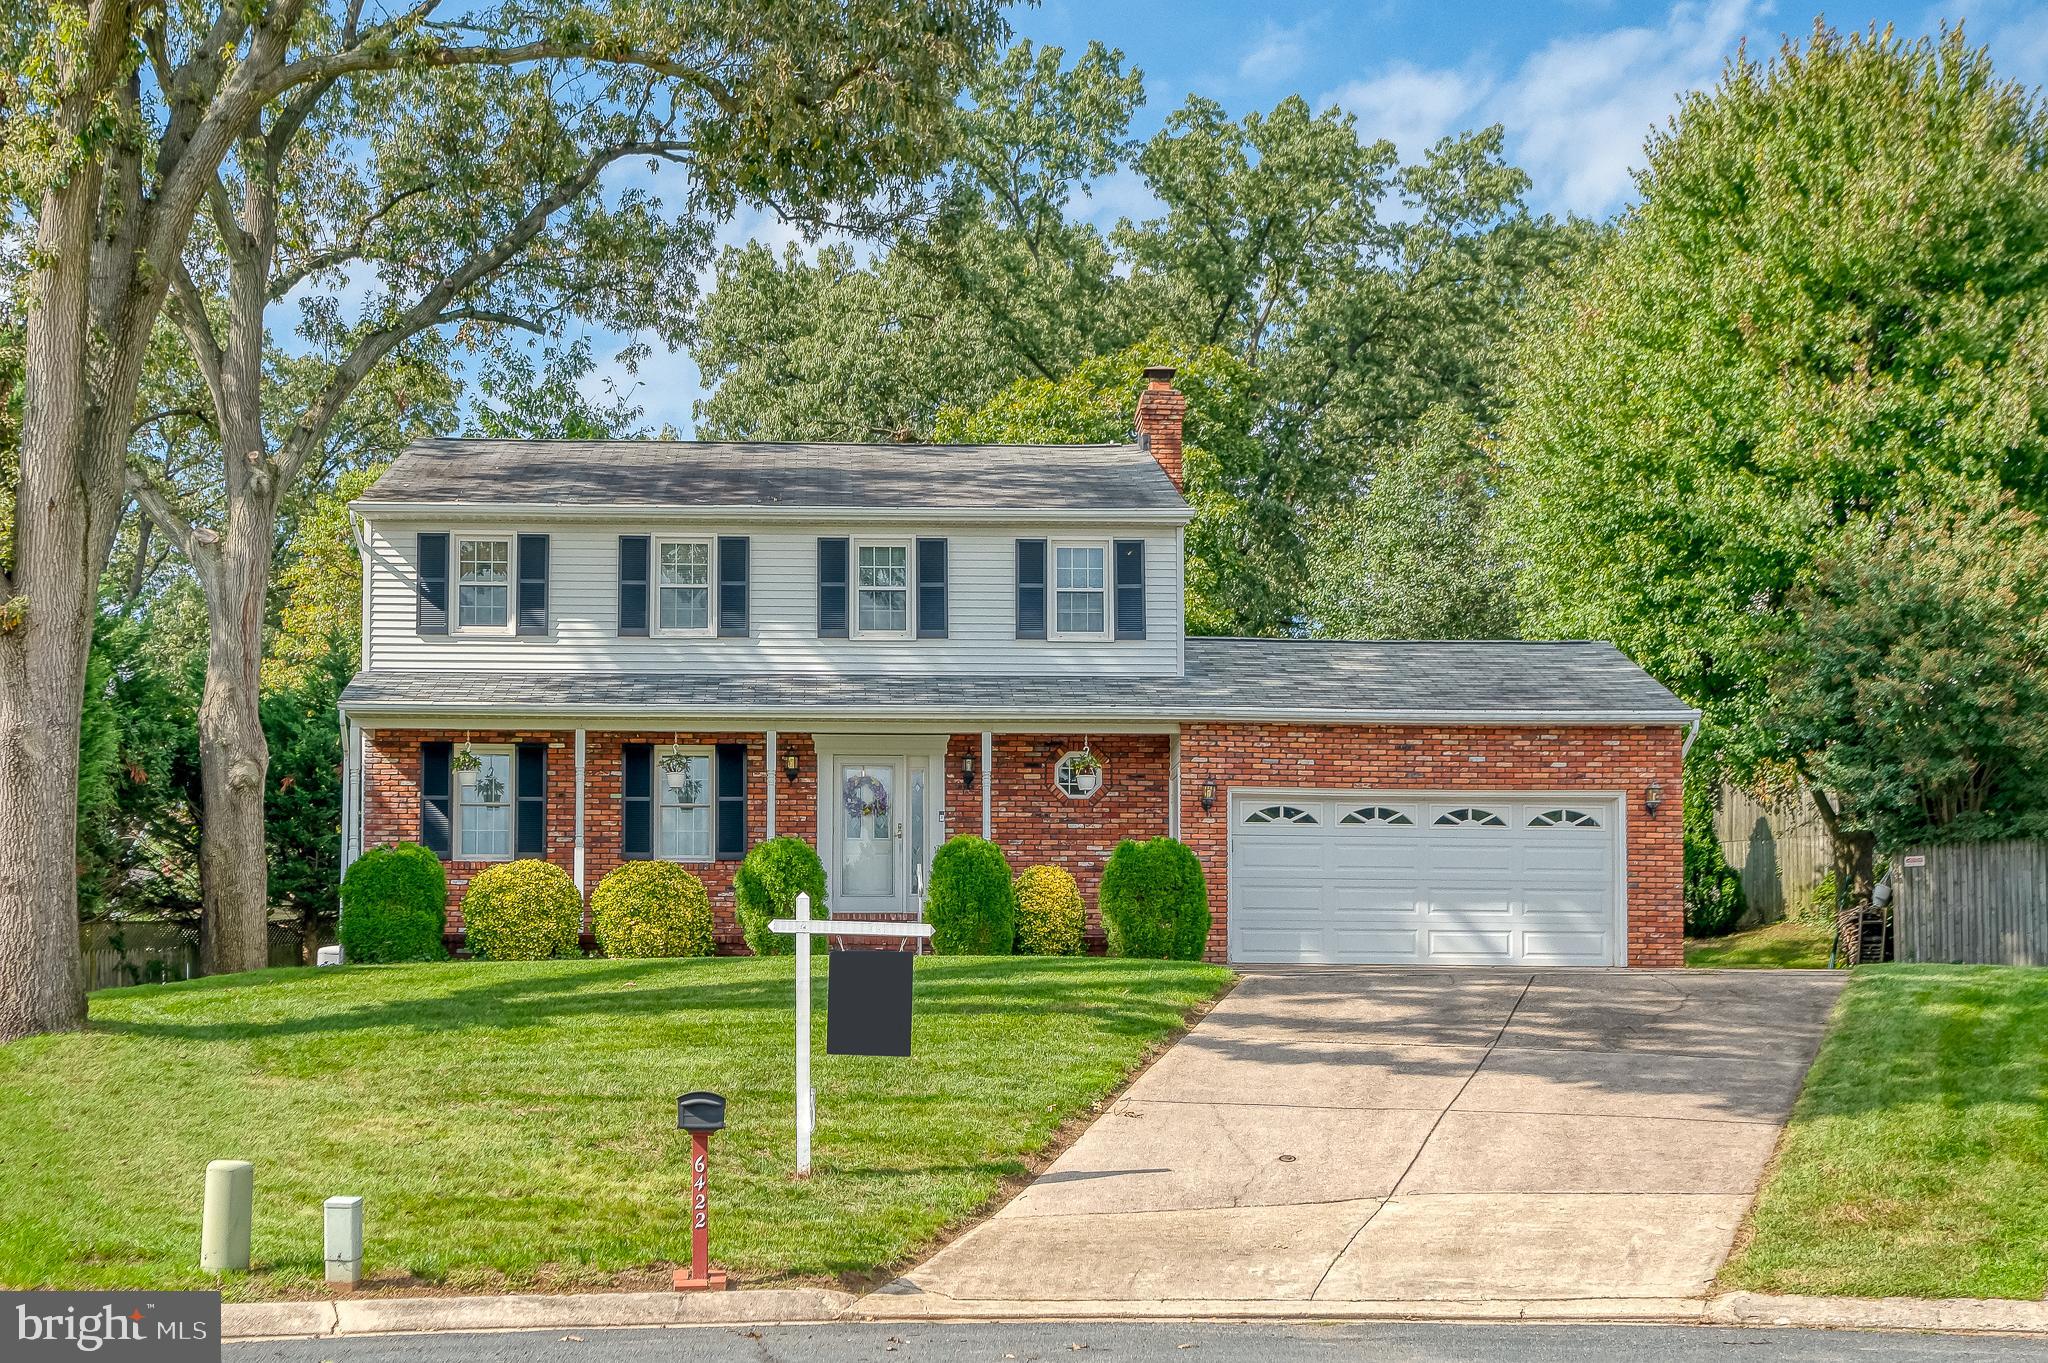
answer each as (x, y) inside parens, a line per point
(515, 1125)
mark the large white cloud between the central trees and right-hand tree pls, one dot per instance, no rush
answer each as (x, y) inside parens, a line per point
(1578, 109)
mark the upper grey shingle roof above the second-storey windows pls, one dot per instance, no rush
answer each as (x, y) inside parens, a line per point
(695, 474)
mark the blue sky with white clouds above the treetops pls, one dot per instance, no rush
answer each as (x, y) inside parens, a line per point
(1576, 85)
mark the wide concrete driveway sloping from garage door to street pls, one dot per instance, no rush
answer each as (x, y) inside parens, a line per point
(1418, 1137)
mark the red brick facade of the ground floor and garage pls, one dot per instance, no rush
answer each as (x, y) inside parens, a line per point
(1035, 824)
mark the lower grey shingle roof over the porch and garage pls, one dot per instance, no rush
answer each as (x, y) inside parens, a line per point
(1228, 678)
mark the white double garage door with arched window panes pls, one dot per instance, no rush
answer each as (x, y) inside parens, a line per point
(1471, 881)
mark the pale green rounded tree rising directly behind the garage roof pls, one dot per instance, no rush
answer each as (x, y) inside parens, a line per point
(1418, 556)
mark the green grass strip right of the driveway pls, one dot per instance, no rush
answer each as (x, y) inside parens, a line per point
(1918, 1155)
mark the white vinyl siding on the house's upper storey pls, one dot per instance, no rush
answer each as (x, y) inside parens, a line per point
(783, 609)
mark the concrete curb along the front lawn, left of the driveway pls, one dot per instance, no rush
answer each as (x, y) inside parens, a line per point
(591, 1311)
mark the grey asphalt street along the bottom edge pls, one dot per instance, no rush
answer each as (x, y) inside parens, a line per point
(1027, 1342)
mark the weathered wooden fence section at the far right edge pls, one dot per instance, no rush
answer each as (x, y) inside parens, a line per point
(1983, 904)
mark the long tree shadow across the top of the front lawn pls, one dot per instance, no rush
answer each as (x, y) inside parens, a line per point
(1113, 996)
